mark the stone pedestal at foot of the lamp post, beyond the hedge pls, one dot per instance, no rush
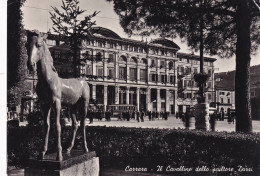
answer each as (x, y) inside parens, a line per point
(202, 116)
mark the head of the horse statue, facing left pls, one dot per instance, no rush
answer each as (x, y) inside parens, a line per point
(35, 42)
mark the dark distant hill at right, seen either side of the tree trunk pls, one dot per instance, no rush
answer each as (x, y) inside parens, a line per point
(227, 79)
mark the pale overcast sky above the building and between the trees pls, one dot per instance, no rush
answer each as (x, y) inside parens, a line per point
(36, 16)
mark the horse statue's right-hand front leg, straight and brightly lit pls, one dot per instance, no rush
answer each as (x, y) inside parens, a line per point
(57, 106)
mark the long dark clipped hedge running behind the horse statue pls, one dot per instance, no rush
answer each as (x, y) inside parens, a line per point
(148, 148)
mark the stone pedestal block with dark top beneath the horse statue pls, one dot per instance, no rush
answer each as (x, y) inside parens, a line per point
(77, 163)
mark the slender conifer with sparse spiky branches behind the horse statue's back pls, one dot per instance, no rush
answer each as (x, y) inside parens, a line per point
(67, 23)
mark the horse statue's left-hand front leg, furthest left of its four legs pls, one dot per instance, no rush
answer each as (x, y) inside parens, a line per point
(46, 109)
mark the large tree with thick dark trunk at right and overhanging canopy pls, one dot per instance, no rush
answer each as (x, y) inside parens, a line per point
(228, 28)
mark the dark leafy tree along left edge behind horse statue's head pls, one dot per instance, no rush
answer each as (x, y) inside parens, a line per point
(16, 53)
